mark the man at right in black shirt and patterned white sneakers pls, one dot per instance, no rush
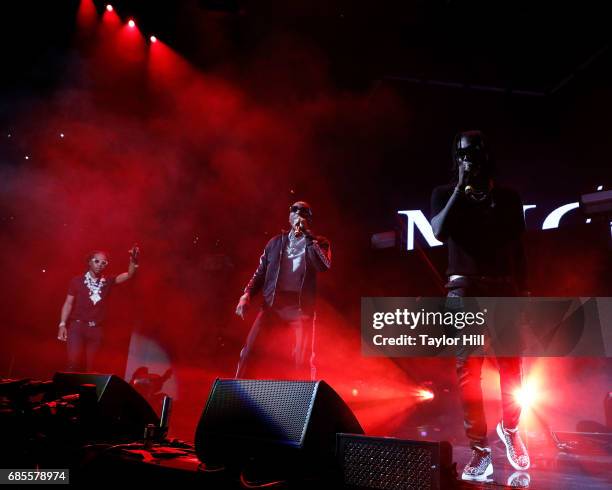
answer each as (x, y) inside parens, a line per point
(482, 223)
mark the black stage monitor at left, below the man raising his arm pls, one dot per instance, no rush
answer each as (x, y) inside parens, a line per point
(117, 410)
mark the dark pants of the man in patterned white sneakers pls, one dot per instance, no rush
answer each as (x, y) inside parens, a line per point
(469, 370)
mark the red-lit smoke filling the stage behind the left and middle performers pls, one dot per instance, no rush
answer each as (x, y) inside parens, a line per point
(199, 172)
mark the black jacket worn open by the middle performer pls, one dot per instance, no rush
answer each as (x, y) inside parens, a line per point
(318, 259)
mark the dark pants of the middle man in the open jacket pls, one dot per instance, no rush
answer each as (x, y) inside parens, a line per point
(280, 344)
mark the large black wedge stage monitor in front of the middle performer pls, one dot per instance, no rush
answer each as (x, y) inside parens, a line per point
(271, 420)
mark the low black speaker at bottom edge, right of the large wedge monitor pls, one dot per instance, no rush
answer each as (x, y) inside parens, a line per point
(386, 462)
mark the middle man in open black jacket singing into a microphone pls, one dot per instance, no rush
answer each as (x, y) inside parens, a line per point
(286, 277)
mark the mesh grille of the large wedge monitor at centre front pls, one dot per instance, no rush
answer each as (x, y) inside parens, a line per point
(269, 410)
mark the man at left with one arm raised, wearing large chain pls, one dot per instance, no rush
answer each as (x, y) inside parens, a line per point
(85, 307)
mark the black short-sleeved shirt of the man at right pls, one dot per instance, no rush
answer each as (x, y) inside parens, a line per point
(484, 238)
